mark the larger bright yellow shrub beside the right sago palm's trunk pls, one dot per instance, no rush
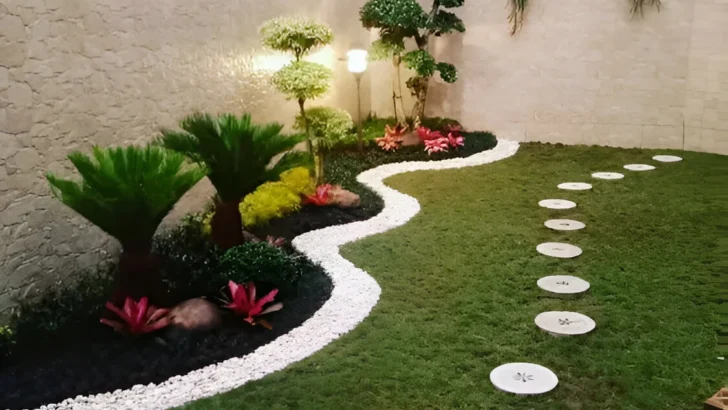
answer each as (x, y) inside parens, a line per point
(271, 200)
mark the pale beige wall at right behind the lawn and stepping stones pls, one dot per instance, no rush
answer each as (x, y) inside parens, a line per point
(585, 72)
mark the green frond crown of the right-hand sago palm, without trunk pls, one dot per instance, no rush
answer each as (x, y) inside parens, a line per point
(236, 151)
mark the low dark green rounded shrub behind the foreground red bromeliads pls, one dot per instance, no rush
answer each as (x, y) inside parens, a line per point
(266, 264)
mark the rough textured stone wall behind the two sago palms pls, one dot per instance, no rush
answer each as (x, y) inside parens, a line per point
(74, 73)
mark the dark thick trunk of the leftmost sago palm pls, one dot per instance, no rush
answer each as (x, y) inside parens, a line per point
(138, 276)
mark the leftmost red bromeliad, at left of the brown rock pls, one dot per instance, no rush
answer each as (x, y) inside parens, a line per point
(138, 317)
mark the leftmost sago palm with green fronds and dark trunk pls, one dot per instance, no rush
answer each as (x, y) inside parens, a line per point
(127, 192)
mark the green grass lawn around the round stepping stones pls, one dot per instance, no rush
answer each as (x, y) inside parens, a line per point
(459, 292)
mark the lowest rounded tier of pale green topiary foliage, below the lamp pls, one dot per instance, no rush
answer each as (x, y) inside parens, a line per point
(328, 125)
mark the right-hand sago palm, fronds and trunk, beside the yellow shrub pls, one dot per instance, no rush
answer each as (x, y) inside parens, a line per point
(238, 155)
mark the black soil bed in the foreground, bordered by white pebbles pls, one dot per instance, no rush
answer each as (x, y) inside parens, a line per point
(108, 362)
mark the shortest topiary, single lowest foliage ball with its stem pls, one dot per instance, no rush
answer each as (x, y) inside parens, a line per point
(327, 126)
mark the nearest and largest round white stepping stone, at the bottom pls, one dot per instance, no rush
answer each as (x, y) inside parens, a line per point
(523, 378)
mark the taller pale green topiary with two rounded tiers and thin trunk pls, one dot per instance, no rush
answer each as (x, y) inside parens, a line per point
(299, 80)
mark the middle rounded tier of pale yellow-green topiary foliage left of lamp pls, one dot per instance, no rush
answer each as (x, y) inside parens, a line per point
(303, 80)
